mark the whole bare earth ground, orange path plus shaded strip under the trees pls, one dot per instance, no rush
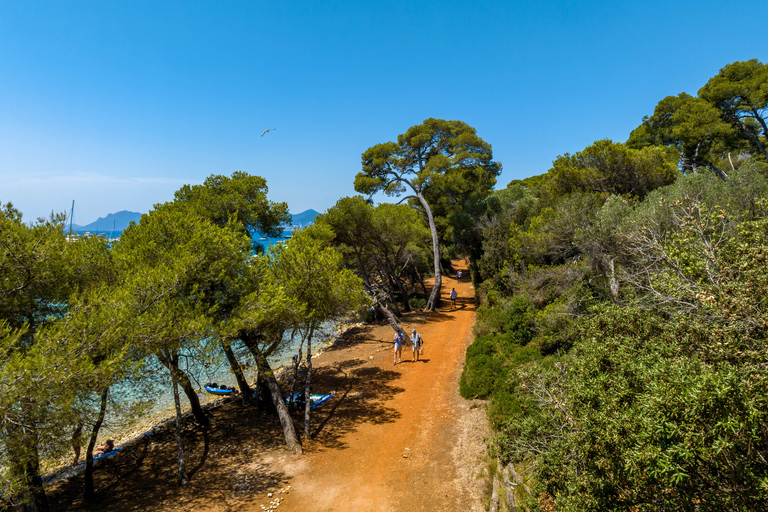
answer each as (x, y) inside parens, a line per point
(393, 438)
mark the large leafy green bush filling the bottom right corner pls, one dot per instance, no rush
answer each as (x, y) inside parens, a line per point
(661, 415)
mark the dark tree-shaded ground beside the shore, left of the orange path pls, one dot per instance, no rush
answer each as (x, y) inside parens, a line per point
(220, 464)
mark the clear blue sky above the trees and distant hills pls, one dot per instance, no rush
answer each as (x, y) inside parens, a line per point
(117, 104)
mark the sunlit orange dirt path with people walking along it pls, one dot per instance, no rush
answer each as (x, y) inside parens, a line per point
(410, 457)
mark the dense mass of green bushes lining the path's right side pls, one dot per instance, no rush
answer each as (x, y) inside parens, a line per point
(622, 348)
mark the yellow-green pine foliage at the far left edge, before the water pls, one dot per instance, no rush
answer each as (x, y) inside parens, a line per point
(43, 273)
